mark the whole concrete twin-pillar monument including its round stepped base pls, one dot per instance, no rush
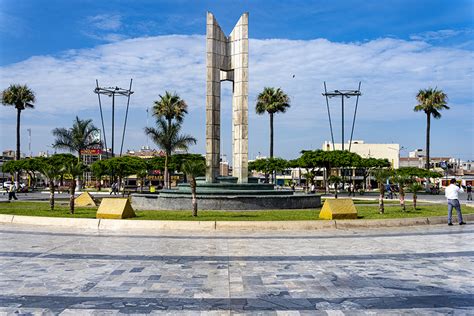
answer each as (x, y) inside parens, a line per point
(227, 60)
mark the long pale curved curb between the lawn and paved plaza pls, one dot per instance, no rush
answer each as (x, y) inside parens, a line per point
(112, 224)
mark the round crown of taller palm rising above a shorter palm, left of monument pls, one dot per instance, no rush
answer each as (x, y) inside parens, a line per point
(171, 107)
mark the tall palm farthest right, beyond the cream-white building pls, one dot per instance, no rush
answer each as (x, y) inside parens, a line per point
(430, 101)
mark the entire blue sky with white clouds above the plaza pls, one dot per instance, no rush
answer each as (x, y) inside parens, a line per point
(394, 48)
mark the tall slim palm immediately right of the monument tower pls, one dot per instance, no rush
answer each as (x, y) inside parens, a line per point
(272, 101)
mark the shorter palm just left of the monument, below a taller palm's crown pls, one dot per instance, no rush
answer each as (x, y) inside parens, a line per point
(169, 139)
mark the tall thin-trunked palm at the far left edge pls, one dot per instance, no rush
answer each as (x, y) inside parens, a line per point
(21, 97)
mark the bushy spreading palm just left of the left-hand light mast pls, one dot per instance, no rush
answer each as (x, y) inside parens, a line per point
(77, 138)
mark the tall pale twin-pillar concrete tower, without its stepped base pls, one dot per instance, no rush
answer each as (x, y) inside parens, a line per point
(227, 60)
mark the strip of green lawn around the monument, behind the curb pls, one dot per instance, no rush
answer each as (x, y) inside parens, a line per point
(365, 212)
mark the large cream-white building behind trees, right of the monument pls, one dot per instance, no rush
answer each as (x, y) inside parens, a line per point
(365, 150)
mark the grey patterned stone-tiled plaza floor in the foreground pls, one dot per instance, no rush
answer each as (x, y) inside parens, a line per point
(417, 270)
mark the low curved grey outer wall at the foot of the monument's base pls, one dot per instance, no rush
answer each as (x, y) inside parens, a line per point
(180, 202)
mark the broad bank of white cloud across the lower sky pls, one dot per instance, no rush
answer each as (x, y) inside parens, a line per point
(391, 71)
